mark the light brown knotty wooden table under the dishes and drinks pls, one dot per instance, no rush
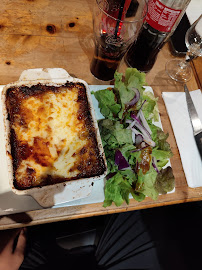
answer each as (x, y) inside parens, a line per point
(50, 34)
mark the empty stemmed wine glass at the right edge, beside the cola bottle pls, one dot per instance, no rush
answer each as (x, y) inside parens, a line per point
(180, 70)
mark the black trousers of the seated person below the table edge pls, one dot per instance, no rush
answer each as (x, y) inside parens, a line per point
(165, 238)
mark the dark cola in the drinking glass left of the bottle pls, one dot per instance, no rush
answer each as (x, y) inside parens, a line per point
(107, 57)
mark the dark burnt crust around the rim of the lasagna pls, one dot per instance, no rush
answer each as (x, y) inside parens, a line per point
(20, 151)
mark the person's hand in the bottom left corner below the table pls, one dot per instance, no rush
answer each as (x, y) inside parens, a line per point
(12, 249)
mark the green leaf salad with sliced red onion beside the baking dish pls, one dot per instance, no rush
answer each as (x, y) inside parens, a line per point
(135, 148)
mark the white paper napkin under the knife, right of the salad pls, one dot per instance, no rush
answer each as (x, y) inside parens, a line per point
(178, 113)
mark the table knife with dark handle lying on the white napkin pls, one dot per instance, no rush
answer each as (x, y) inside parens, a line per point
(195, 120)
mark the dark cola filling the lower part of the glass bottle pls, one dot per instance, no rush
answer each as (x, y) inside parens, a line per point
(142, 54)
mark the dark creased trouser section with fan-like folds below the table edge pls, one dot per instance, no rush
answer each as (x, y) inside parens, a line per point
(127, 244)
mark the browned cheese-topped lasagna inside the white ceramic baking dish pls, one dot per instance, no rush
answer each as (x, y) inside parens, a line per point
(52, 135)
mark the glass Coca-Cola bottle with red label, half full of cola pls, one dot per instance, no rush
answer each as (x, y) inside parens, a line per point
(162, 18)
